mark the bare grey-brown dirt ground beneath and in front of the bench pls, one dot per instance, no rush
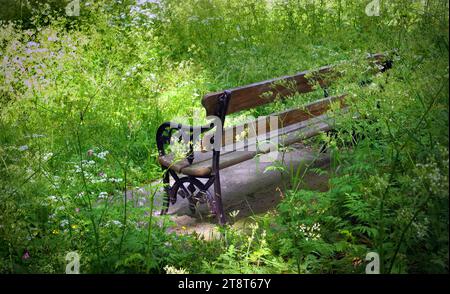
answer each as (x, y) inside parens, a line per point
(249, 189)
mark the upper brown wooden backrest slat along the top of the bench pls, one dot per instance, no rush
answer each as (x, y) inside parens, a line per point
(250, 96)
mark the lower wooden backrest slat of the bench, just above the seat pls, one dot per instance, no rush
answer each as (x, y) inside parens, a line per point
(231, 134)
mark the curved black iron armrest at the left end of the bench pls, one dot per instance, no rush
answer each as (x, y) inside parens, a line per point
(165, 132)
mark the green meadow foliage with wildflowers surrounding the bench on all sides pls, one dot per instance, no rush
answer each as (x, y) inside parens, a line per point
(81, 99)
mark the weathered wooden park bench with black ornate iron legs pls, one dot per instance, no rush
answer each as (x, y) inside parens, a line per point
(198, 170)
